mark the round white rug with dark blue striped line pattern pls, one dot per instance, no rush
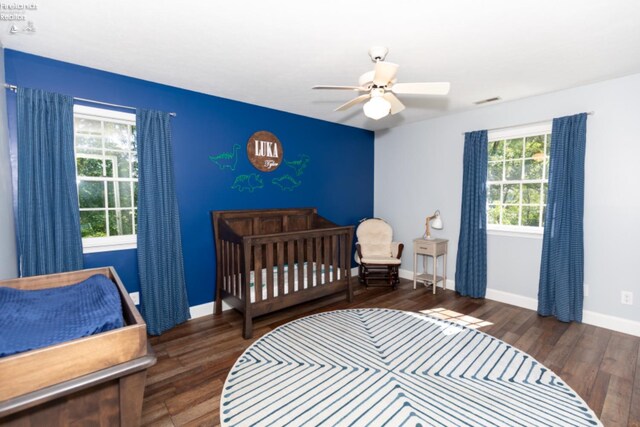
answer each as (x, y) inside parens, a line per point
(378, 367)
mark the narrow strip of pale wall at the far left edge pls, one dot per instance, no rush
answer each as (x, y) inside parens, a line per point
(8, 265)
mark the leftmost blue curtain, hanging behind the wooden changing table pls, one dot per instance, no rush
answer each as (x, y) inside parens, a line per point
(48, 219)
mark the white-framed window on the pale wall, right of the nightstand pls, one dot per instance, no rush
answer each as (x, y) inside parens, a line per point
(517, 178)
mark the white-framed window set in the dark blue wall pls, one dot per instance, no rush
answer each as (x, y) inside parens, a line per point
(107, 178)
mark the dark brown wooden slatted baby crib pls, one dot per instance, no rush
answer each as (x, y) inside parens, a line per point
(253, 240)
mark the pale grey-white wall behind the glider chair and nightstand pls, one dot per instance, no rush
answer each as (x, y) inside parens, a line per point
(418, 169)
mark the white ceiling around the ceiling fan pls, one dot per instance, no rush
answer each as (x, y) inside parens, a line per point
(270, 53)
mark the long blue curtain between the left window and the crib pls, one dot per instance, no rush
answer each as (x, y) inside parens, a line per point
(164, 301)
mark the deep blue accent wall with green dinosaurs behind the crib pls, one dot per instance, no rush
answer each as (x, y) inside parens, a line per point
(338, 179)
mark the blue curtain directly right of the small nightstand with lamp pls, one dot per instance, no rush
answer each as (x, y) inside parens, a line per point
(471, 262)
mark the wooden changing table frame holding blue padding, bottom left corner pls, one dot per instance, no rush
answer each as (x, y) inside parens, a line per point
(97, 379)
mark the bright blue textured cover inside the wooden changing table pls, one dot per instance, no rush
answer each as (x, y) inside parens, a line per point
(34, 319)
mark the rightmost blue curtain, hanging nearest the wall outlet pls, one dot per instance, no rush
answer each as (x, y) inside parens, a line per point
(562, 268)
